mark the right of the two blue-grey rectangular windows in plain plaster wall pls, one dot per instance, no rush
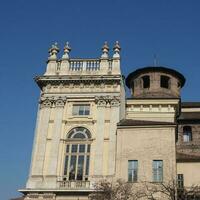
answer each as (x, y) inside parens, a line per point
(157, 171)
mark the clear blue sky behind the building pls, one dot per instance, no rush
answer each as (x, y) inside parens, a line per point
(168, 28)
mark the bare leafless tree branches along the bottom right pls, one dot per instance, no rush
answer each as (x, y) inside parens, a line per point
(121, 190)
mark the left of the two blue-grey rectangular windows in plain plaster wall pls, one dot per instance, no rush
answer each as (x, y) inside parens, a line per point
(132, 170)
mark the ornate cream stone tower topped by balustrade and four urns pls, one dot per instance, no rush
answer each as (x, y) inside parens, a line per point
(81, 102)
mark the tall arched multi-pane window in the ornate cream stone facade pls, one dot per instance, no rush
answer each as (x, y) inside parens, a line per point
(77, 154)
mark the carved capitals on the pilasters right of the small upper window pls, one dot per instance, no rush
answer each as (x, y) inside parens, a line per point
(107, 100)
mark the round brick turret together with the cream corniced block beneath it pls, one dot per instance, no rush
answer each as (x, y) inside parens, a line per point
(155, 94)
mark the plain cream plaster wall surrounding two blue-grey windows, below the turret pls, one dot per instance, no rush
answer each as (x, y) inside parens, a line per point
(145, 144)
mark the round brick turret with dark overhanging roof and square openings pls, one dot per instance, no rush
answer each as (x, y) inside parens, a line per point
(155, 82)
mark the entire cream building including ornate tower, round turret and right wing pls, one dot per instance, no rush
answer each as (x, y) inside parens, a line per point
(86, 130)
